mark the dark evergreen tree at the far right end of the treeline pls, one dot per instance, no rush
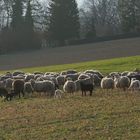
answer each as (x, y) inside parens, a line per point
(129, 11)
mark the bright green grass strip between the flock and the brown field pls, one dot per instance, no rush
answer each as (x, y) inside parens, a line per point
(105, 66)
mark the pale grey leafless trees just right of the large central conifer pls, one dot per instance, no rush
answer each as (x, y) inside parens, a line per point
(104, 15)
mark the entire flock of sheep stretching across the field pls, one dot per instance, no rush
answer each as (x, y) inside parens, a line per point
(55, 84)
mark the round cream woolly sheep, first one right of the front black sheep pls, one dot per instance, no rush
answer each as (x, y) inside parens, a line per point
(107, 83)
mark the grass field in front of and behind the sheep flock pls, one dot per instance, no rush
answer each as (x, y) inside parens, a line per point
(107, 115)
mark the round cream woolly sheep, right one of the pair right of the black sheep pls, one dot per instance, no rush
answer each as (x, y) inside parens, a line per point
(122, 82)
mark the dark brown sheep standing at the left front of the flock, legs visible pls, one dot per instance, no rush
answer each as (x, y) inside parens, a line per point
(18, 87)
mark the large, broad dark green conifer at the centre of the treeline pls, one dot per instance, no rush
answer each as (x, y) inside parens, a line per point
(63, 20)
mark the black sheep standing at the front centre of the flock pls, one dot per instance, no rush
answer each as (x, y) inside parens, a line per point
(86, 85)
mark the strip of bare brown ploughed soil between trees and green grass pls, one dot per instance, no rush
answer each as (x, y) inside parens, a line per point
(71, 54)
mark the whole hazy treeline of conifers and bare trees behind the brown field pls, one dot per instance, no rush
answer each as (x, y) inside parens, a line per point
(32, 24)
